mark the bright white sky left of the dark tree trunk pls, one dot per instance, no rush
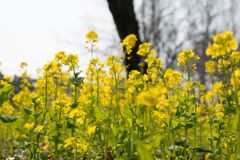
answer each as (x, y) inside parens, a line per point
(33, 31)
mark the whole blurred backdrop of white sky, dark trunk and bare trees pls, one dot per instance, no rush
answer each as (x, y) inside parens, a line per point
(33, 31)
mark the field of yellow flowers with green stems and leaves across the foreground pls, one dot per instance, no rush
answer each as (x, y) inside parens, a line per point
(164, 114)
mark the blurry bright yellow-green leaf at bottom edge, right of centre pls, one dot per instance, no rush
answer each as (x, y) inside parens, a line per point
(144, 151)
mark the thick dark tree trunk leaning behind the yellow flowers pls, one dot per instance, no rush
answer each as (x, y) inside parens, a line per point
(126, 23)
